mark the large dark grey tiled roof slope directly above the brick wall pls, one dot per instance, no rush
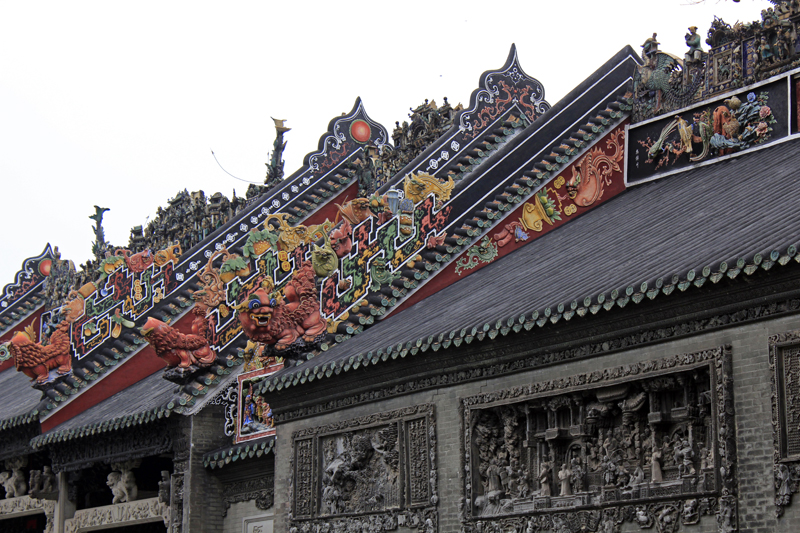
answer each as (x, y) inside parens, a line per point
(650, 236)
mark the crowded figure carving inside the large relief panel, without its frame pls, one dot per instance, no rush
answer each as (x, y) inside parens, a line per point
(625, 441)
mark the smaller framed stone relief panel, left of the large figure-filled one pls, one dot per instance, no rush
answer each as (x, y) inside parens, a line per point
(369, 474)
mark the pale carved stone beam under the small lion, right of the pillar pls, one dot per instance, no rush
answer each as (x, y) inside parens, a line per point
(119, 515)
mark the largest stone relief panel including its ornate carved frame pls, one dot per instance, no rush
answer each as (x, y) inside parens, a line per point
(649, 443)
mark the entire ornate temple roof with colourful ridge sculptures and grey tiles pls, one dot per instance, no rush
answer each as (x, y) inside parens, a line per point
(479, 218)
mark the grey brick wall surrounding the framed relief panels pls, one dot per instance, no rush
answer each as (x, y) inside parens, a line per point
(752, 396)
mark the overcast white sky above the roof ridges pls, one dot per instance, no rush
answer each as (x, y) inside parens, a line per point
(119, 103)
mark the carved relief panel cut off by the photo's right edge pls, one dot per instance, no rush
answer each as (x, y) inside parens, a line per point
(784, 361)
